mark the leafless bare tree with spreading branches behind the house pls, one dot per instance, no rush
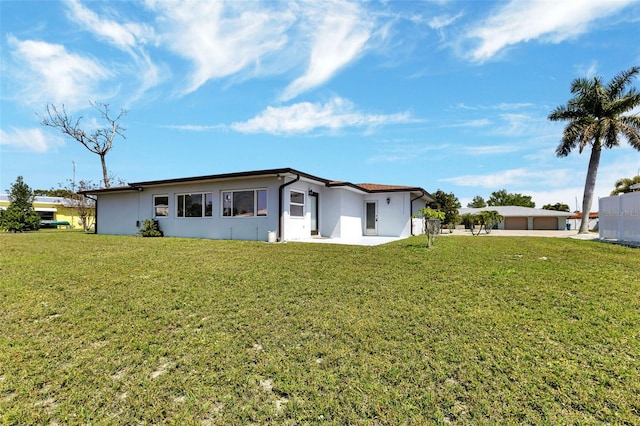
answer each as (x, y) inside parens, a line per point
(98, 141)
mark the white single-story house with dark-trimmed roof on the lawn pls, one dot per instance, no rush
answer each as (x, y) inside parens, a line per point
(277, 204)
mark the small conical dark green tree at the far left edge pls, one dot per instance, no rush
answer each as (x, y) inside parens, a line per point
(20, 216)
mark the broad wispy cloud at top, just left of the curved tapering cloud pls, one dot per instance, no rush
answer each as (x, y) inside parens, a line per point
(221, 39)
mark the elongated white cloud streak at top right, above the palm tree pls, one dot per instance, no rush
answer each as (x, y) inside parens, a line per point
(542, 20)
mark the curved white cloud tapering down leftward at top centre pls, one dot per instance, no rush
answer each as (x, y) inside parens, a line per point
(340, 33)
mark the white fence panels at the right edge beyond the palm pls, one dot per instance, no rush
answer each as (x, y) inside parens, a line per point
(620, 217)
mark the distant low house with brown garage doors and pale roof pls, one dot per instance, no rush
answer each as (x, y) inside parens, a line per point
(525, 218)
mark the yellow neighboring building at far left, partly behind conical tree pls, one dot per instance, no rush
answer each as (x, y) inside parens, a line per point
(53, 210)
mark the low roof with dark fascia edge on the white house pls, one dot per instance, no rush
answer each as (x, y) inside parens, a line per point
(364, 187)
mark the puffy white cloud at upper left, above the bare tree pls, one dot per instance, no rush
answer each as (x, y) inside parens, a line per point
(47, 72)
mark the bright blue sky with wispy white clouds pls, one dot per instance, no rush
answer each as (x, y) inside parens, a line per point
(449, 95)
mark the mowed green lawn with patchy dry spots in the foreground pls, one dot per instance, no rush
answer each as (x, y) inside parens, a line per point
(476, 330)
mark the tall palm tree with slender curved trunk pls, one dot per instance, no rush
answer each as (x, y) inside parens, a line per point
(595, 116)
